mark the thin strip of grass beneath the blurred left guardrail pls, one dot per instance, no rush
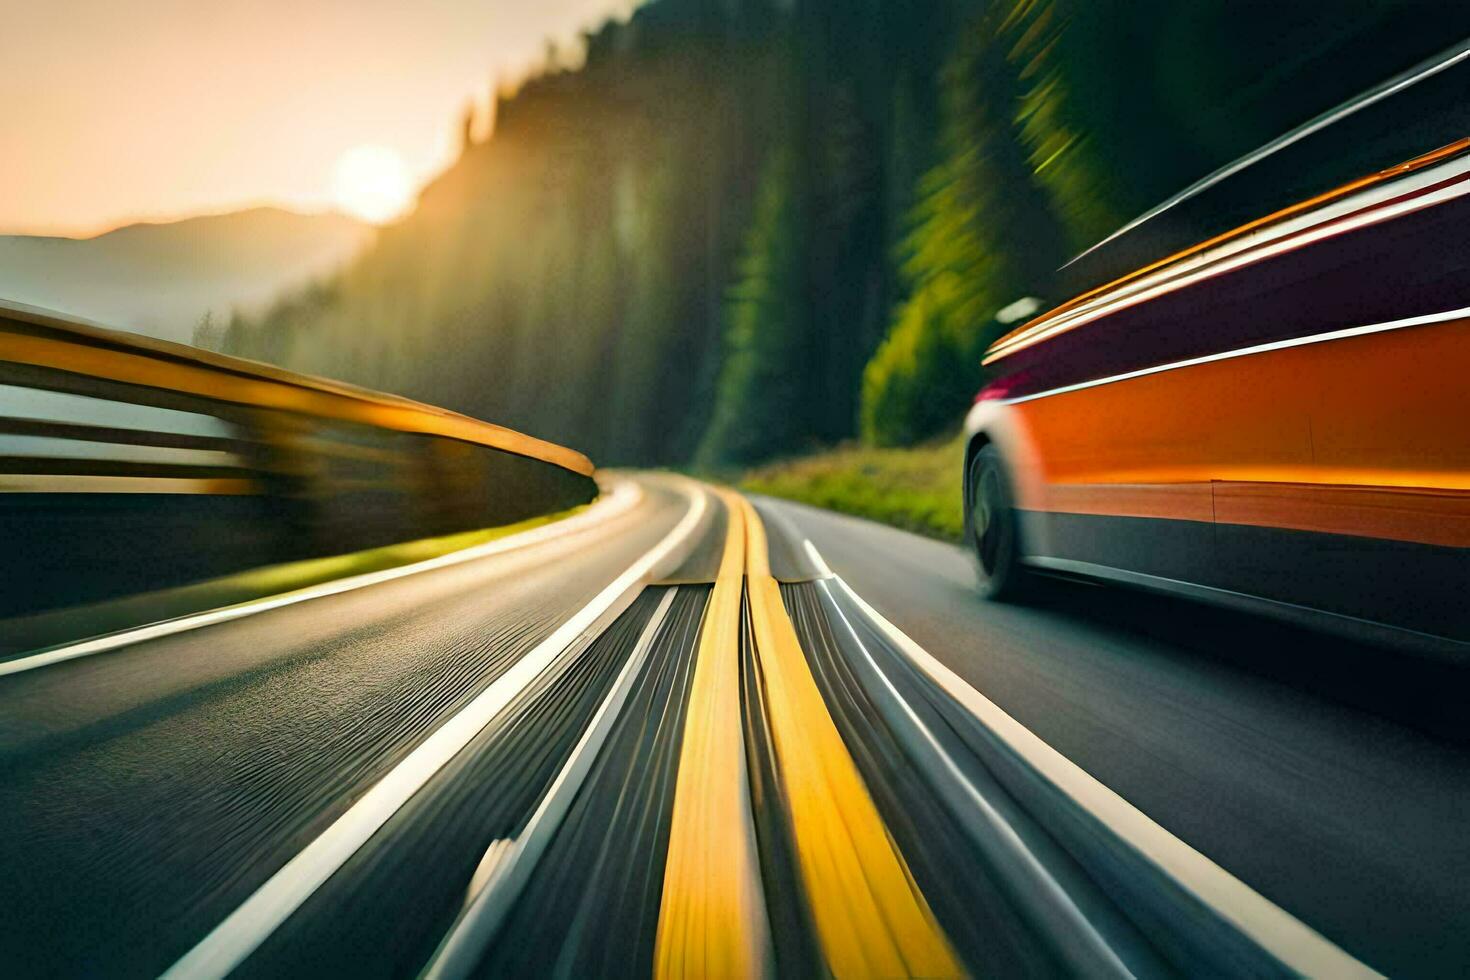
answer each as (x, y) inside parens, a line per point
(37, 631)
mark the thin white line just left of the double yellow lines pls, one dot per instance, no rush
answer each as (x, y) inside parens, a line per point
(508, 865)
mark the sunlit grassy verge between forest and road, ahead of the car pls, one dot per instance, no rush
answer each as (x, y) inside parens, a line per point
(915, 489)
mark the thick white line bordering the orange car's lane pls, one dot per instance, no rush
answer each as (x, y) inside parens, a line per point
(1299, 947)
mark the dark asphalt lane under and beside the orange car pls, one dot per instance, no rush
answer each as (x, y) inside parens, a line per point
(1331, 778)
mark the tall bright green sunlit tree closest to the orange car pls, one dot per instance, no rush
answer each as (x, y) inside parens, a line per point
(983, 234)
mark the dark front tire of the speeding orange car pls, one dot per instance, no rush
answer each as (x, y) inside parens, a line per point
(993, 530)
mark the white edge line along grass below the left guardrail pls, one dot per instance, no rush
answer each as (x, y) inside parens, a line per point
(624, 497)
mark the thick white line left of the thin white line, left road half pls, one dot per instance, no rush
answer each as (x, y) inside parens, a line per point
(245, 929)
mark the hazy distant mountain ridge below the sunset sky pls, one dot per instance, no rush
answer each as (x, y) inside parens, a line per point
(162, 278)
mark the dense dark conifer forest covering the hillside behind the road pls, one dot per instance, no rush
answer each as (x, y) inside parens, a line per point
(746, 228)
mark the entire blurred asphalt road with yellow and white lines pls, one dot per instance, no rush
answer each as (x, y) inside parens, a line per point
(674, 737)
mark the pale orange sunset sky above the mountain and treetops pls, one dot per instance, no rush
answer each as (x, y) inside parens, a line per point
(118, 111)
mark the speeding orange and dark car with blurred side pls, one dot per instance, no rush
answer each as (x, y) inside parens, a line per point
(1275, 418)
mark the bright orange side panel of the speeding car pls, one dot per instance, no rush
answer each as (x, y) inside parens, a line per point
(1303, 418)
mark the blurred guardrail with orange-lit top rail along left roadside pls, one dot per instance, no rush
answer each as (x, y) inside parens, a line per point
(130, 464)
